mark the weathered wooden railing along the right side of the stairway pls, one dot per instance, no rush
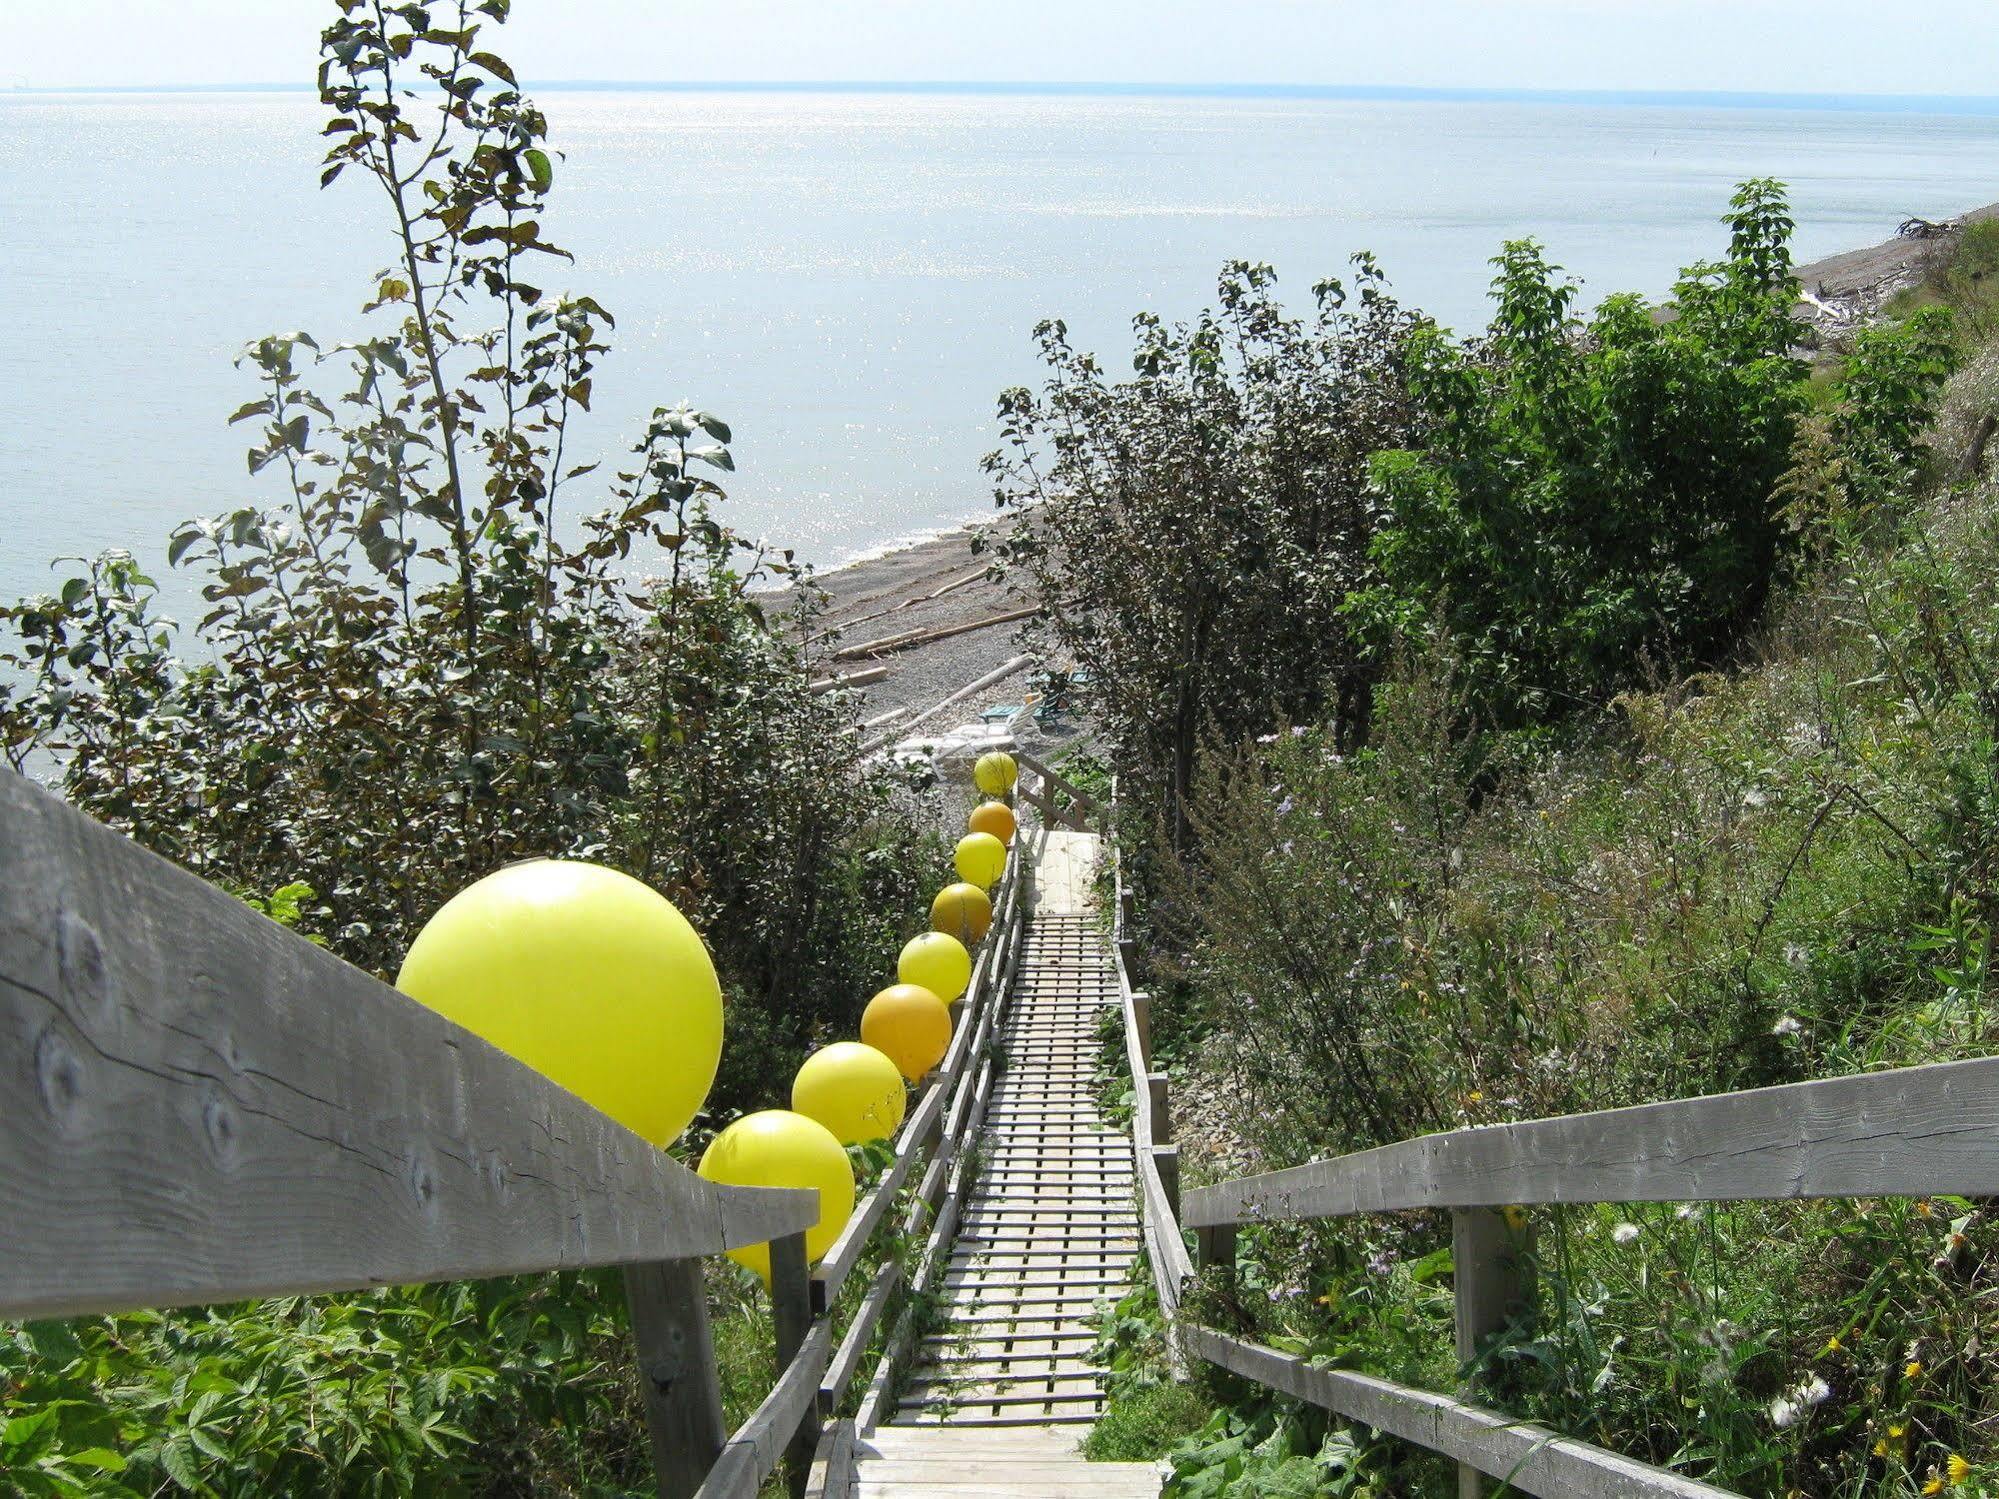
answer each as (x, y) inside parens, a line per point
(1908, 1132)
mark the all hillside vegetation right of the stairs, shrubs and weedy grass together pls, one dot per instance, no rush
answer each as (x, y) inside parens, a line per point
(1650, 752)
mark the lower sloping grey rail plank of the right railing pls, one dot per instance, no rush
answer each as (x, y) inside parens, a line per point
(1532, 1460)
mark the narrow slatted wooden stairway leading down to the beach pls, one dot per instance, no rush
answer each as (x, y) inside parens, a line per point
(1000, 1396)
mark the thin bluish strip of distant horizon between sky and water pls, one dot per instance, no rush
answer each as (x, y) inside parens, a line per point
(1390, 93)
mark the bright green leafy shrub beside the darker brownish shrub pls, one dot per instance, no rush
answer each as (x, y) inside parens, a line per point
(1586, 497)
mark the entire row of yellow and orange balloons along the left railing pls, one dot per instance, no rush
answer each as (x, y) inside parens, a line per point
(603, 986)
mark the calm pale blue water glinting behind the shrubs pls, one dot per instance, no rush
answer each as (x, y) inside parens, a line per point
(847, 277)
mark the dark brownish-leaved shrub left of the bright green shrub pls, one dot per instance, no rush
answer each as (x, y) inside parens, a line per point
(1196, 531)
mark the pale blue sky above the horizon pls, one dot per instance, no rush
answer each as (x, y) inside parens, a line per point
(1842, 47)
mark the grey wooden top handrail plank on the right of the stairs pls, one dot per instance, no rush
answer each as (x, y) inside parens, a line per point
(1906, 1132)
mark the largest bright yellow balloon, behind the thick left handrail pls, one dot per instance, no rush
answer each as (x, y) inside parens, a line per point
(587, 976)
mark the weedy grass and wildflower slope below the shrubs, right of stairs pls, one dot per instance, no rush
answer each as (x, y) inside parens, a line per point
(1734, 880)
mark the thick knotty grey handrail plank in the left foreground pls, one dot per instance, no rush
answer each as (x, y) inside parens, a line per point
(205, 1108)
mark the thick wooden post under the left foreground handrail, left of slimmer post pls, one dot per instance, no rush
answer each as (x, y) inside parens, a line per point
(677, 1364)
